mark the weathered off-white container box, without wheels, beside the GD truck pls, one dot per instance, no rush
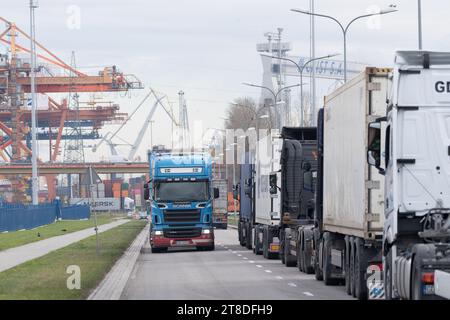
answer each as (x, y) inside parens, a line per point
(353, 198)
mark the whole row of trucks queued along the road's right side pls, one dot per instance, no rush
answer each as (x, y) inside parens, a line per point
(363, 199)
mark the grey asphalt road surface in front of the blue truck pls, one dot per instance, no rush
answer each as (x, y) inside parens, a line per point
(229, 272)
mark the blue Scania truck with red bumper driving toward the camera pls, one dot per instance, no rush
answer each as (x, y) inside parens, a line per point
(180, 195)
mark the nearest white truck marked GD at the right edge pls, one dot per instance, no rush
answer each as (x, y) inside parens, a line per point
(413, 152)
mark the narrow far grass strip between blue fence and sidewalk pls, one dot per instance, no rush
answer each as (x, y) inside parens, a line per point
(19, 238)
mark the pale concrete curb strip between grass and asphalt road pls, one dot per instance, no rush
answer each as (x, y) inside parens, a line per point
(114, 283)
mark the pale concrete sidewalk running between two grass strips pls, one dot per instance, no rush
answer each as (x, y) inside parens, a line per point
(12, 257)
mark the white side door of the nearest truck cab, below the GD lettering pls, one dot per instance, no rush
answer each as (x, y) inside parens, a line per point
(423, 158)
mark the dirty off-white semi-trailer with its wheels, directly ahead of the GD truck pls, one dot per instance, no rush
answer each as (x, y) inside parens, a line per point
(349, 195)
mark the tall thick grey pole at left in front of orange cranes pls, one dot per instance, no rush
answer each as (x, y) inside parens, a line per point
(34, 154)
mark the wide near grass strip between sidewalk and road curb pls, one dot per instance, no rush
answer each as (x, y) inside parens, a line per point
(46, 277)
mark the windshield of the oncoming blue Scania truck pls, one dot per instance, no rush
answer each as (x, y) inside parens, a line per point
(182, 191)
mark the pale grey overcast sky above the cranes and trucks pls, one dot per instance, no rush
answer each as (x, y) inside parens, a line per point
(207, 47)
